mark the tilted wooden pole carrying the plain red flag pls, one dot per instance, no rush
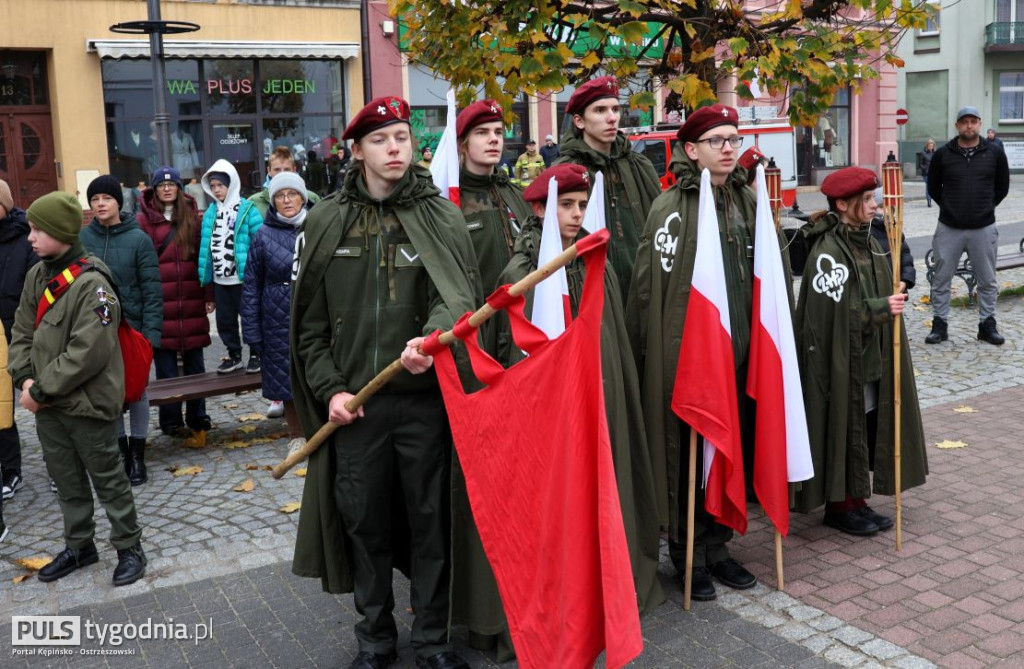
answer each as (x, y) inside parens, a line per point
(393, 370)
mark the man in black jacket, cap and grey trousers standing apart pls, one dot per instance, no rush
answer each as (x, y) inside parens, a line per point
(968, 179)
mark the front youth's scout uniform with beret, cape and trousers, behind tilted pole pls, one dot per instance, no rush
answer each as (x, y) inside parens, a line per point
(371, 276)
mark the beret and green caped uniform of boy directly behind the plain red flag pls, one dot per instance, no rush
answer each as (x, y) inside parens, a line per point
(622, 390)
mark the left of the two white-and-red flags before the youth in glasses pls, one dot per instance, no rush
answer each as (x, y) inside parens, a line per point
(705, 393)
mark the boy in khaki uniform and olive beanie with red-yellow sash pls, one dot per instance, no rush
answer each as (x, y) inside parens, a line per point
(66, 359)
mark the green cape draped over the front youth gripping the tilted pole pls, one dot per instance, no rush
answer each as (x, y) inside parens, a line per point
(438, 231)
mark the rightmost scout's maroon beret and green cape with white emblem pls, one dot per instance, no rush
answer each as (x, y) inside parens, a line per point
(844, 343)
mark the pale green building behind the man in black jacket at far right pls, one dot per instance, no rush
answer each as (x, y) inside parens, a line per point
(972, 55)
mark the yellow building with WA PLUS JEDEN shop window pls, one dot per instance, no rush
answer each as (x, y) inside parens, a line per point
(77, 100)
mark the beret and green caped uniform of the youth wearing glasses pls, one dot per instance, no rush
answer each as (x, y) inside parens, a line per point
(656, 314)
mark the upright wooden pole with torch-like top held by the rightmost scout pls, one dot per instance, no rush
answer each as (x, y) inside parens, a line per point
(892, 193)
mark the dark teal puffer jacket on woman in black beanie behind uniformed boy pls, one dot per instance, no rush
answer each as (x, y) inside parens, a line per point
(133, 260)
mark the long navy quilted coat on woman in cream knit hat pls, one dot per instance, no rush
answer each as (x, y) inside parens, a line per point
(267, 300)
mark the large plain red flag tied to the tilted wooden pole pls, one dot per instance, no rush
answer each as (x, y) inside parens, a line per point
(534, 447)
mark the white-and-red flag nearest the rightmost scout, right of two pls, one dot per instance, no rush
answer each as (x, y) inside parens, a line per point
(782, 447)
